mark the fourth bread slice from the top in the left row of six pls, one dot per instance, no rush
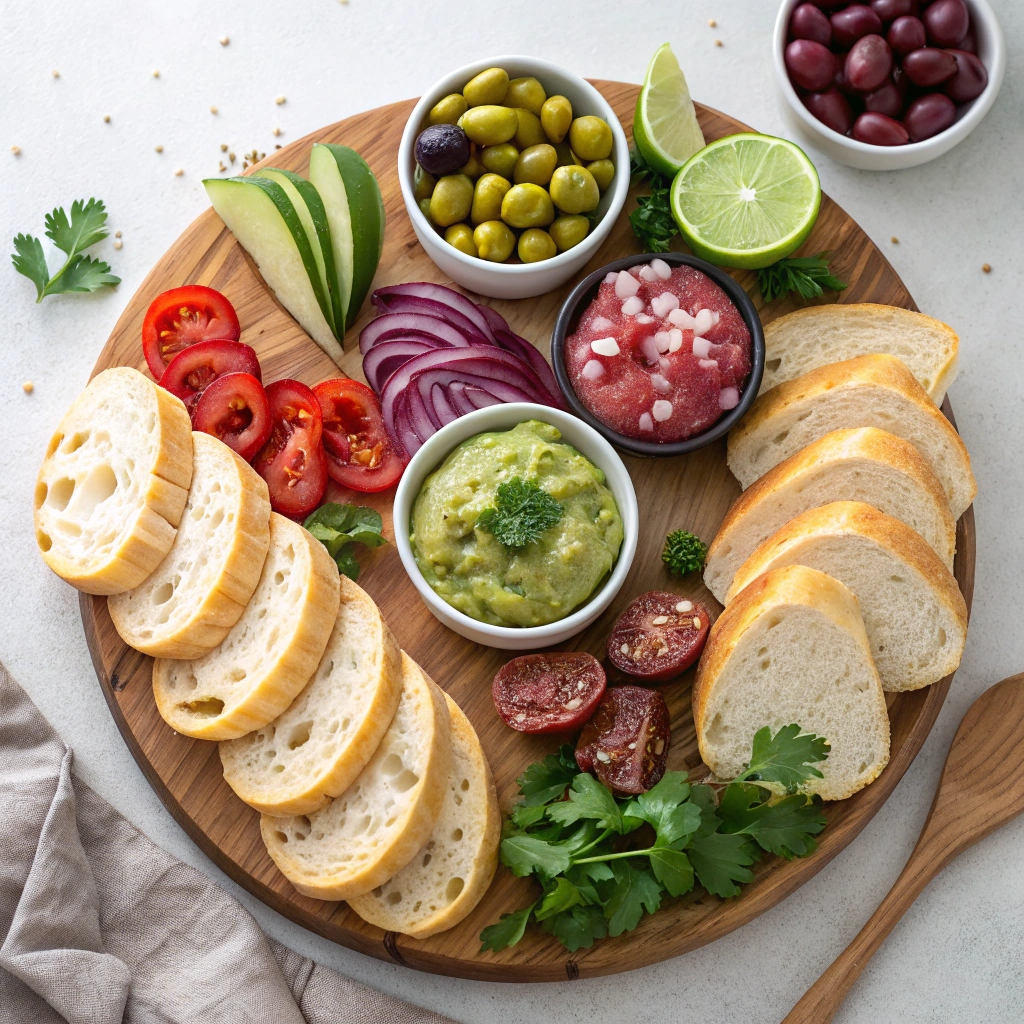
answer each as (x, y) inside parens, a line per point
(315, 750)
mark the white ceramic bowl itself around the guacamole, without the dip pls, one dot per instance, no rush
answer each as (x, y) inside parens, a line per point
(583, 438)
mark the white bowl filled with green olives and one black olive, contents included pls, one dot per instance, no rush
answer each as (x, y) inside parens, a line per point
(514, 172)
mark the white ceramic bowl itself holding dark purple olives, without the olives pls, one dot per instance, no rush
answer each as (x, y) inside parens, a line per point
(992, 51)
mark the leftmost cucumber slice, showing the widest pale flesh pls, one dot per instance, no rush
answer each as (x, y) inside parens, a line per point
(266, 225)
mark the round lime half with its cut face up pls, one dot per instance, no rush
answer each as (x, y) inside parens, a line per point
(747, 201)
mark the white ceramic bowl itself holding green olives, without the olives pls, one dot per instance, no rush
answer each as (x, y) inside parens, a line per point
(515, 281)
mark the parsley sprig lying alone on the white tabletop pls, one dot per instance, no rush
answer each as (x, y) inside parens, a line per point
(72, 236)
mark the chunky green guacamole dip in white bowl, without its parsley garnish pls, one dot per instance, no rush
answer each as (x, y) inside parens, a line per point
(546, 579)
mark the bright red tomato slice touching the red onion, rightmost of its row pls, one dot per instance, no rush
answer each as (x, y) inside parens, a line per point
(360, 454)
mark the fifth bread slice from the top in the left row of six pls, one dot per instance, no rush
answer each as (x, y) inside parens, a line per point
(376, 827)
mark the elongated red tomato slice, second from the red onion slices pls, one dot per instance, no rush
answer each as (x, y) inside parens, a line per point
(292, 462)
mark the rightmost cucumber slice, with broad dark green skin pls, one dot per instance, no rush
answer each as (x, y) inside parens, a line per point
(356, 214)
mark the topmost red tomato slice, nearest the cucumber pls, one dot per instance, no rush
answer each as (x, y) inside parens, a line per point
(185, 317)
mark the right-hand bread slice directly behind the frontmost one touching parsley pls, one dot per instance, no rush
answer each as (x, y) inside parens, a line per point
(914, 612)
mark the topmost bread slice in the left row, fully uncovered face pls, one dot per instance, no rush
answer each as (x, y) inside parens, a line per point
(114, 483)
